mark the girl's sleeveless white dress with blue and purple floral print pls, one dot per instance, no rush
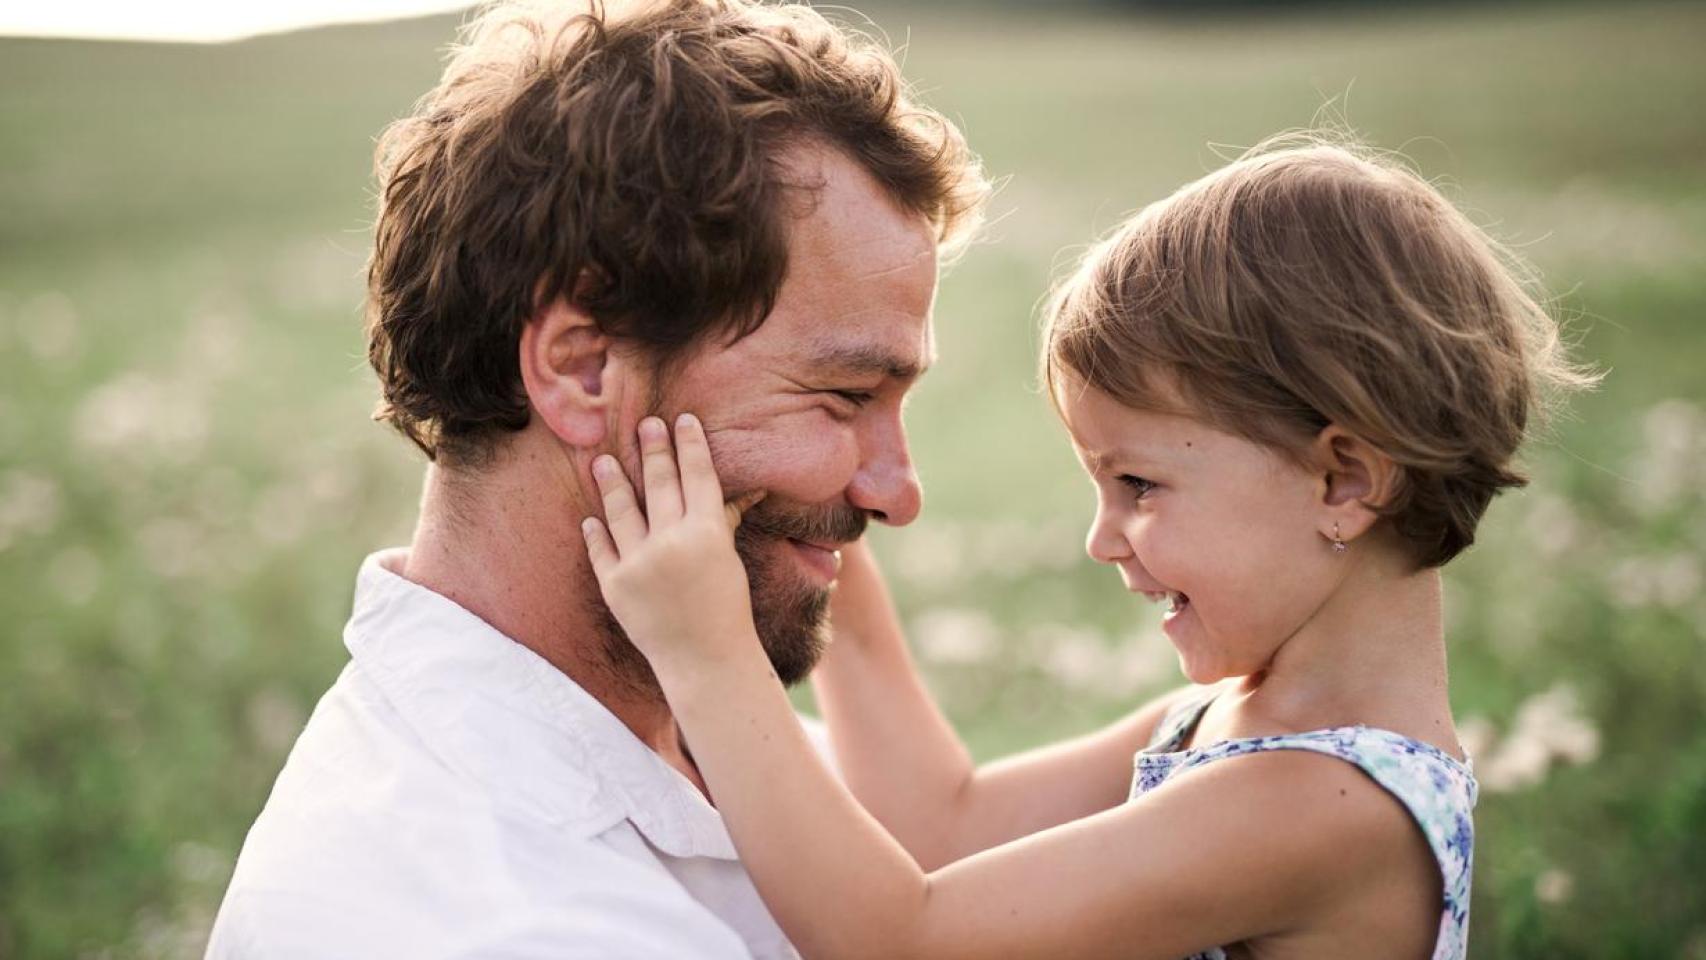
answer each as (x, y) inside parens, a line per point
(1436, 789)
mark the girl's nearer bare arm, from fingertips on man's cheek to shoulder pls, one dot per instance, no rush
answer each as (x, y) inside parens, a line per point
(1263, 845)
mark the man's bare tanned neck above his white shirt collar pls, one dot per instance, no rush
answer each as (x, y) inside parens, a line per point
(516, 560)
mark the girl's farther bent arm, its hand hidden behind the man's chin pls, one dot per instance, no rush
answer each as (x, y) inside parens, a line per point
(908, 768)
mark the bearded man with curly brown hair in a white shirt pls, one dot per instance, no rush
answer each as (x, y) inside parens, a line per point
(692, 205)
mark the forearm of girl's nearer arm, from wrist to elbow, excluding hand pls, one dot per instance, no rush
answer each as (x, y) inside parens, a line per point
(806, 841)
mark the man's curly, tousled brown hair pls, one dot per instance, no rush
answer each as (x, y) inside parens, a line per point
(627, 159)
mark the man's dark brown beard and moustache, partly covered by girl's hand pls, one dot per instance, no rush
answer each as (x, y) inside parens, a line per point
(792, 616)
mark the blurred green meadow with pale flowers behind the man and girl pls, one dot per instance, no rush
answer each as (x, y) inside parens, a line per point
(189, 477)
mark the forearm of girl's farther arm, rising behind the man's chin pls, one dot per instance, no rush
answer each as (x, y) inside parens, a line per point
(900, 756)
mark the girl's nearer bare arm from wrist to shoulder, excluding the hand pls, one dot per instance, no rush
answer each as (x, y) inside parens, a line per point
(1233, 852)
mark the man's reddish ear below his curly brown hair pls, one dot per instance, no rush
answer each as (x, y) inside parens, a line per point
(566, 361)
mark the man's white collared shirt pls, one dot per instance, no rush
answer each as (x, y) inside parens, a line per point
(455, 795)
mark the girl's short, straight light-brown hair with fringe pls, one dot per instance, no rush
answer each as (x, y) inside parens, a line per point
(1318, 282)
